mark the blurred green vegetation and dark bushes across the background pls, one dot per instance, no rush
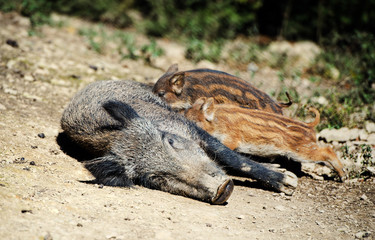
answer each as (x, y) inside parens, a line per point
(344, 29)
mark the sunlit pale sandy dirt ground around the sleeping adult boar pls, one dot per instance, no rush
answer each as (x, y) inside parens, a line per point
(45, 194)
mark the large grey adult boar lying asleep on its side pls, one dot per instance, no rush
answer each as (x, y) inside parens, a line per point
(137, 139)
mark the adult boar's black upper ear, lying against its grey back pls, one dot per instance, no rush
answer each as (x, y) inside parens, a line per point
(120, 111)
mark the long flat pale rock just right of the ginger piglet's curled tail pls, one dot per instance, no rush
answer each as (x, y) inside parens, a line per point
(340, 135)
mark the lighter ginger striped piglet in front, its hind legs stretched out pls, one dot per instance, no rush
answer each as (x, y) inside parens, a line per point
(262, 133)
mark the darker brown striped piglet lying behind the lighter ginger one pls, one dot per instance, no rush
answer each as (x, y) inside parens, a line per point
(180, 89)
